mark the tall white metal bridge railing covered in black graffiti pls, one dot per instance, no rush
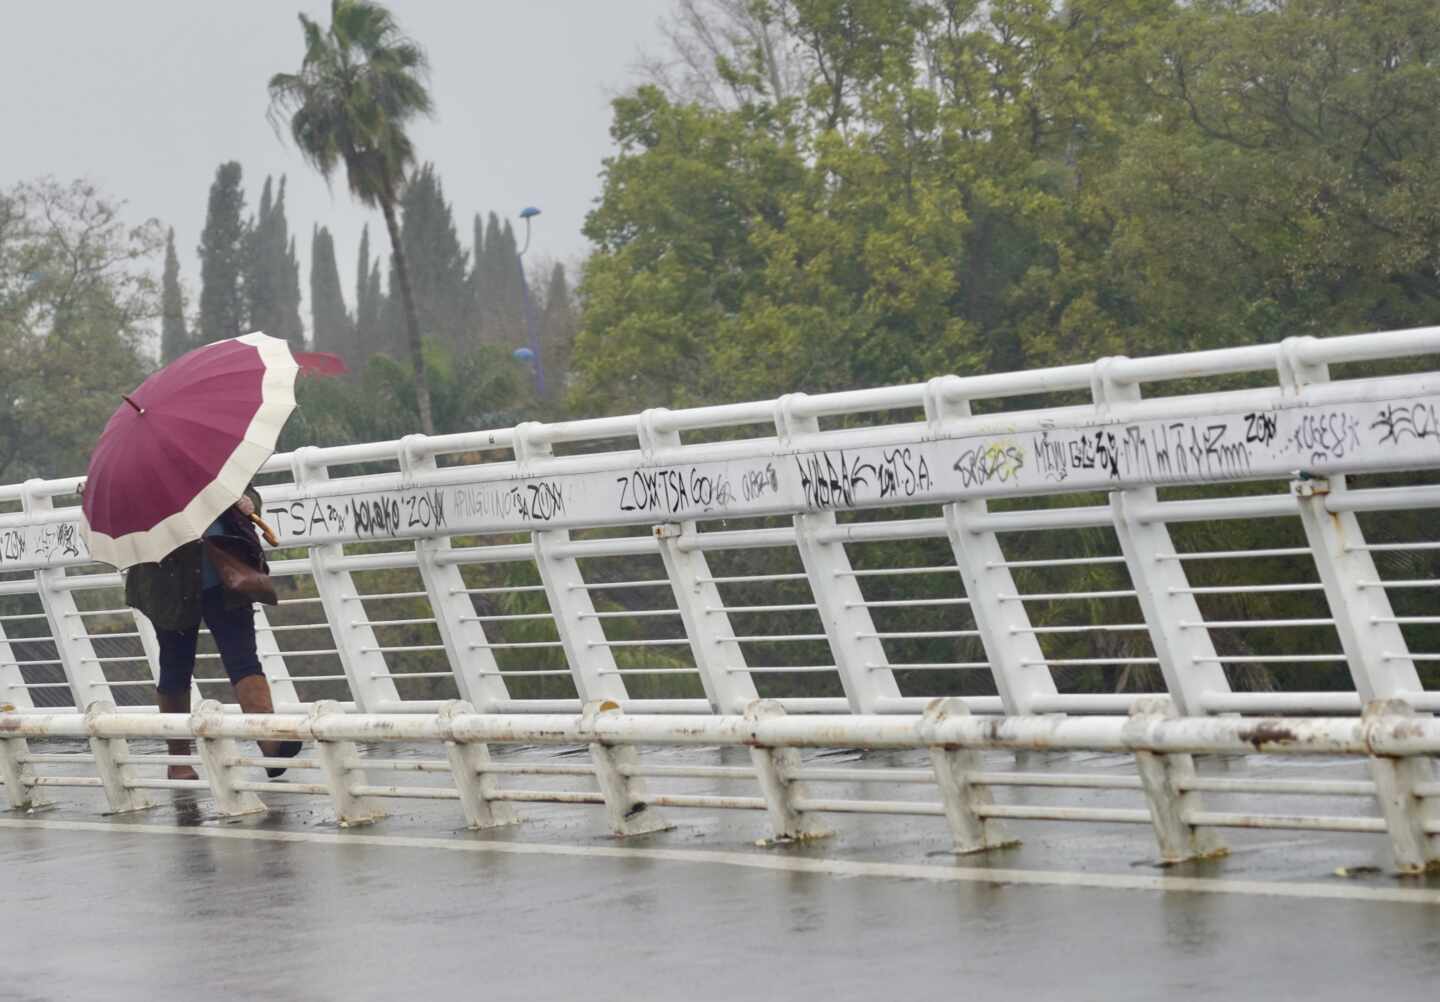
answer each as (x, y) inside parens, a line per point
(695, 561)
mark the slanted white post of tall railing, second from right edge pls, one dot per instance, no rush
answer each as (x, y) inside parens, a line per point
(1186, 653)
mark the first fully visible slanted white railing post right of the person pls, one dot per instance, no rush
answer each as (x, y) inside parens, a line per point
(365, 666)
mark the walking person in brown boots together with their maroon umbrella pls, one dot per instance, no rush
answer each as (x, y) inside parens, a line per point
(162, 499)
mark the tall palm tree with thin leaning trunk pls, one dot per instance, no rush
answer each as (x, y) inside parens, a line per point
(358, 89)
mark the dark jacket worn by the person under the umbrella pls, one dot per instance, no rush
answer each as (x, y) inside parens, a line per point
(169, 591)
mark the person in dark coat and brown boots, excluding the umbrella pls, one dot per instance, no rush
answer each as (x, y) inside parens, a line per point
(186, 588)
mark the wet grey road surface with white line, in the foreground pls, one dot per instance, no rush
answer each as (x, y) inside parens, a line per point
(176, 903)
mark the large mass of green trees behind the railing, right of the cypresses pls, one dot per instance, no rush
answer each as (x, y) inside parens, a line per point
(983, 186)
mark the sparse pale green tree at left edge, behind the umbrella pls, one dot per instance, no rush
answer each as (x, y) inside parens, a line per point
(76, 307)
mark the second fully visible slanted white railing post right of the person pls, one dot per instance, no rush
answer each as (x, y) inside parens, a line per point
(464, 640)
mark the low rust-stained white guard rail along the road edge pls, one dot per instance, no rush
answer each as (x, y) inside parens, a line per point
(1399, 746)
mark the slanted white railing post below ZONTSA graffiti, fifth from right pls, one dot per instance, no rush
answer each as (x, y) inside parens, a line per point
(719, 659)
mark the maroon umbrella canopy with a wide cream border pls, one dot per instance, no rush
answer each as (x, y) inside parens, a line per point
(185, 446)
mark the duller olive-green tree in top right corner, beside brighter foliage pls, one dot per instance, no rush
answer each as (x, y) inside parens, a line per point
(1290, 173)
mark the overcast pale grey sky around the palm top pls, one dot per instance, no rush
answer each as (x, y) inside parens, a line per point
(148, 97)
